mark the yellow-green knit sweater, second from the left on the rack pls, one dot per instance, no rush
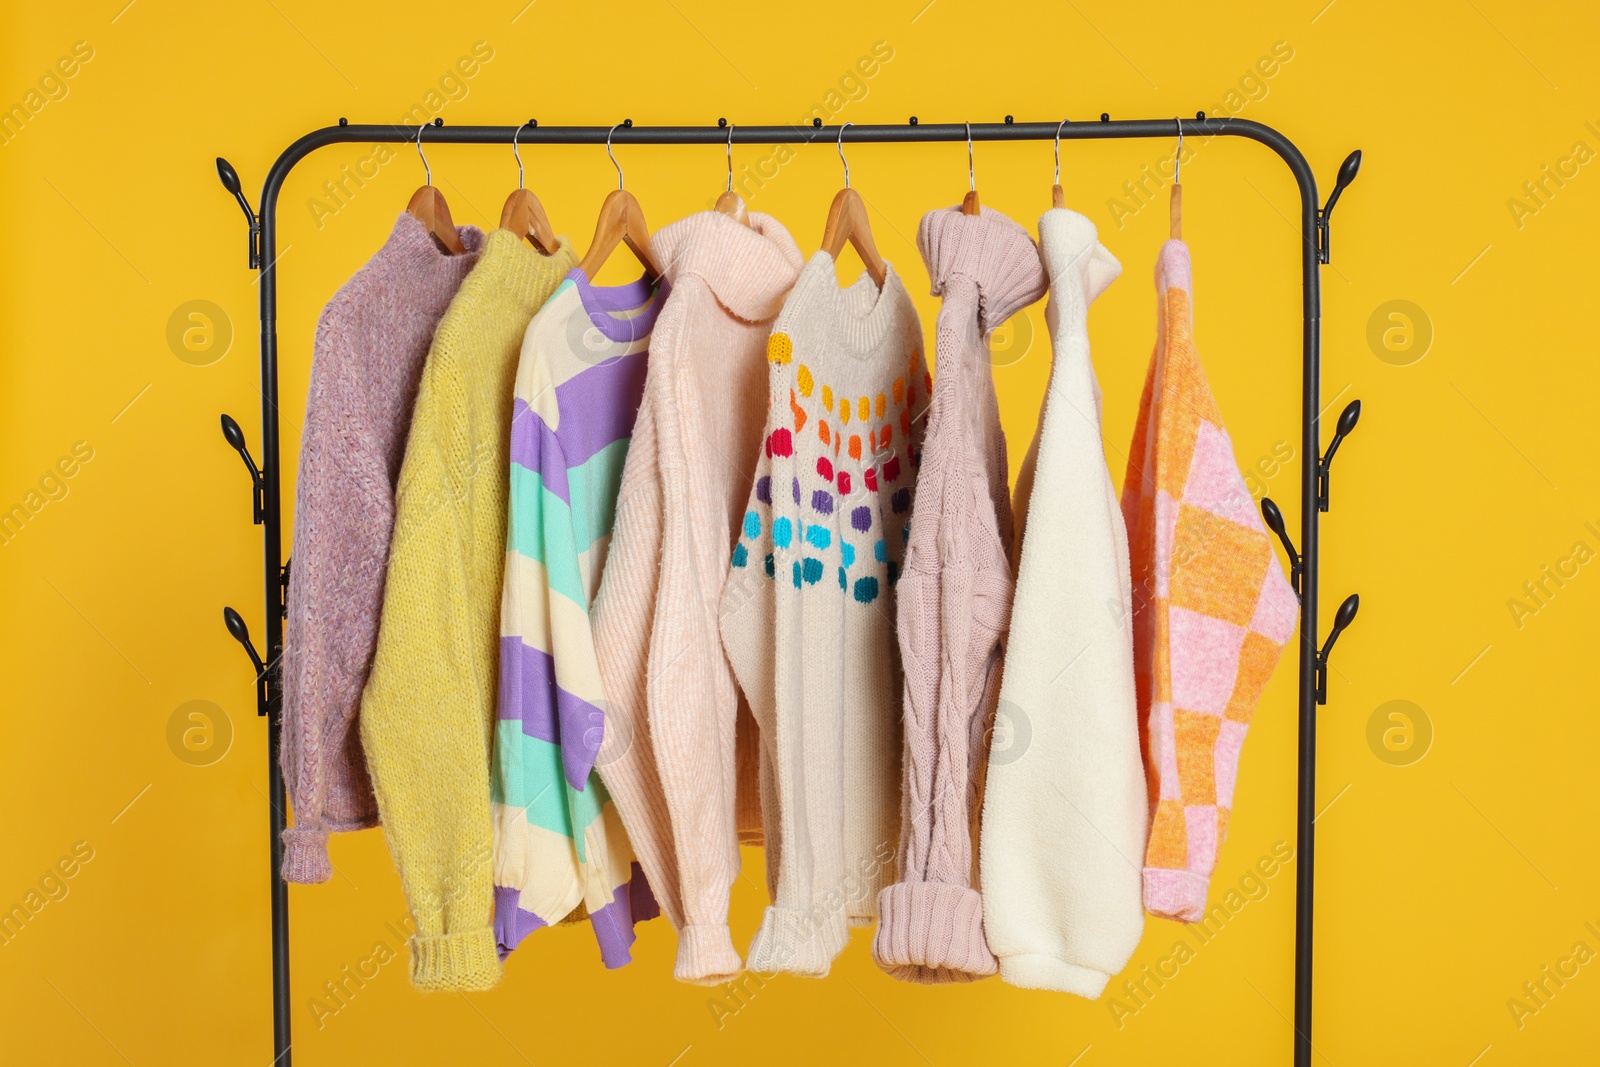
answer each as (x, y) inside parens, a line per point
(428, 711)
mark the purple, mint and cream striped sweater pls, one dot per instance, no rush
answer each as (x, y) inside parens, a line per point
(559, 842)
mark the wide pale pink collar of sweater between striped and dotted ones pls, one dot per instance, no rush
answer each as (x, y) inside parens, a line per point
(748, 268)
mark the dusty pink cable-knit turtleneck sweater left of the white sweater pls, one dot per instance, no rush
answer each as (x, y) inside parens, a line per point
(954, 602)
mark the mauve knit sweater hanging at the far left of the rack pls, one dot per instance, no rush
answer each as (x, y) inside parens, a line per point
(372, 343)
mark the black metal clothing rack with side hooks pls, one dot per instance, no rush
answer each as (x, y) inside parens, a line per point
(268, 503)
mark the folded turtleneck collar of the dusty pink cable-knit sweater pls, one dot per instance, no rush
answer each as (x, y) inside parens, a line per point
(986, 252)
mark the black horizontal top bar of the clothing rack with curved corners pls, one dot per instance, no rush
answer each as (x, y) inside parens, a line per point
(903, 134)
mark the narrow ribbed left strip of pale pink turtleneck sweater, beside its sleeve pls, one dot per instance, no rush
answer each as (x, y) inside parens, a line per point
(622, 620)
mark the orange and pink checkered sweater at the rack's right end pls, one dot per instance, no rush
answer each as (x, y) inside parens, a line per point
(1214, 609)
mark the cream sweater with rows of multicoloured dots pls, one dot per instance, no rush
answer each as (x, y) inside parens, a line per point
(809, 610)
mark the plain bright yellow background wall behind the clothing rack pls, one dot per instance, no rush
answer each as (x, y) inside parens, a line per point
(1442, 885)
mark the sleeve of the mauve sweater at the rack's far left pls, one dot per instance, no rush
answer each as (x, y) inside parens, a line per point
(342, 543)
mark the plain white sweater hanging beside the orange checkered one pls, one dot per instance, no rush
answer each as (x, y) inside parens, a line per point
(1065, 812)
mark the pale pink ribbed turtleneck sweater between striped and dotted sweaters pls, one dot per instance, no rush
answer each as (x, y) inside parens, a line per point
(674, 706)
